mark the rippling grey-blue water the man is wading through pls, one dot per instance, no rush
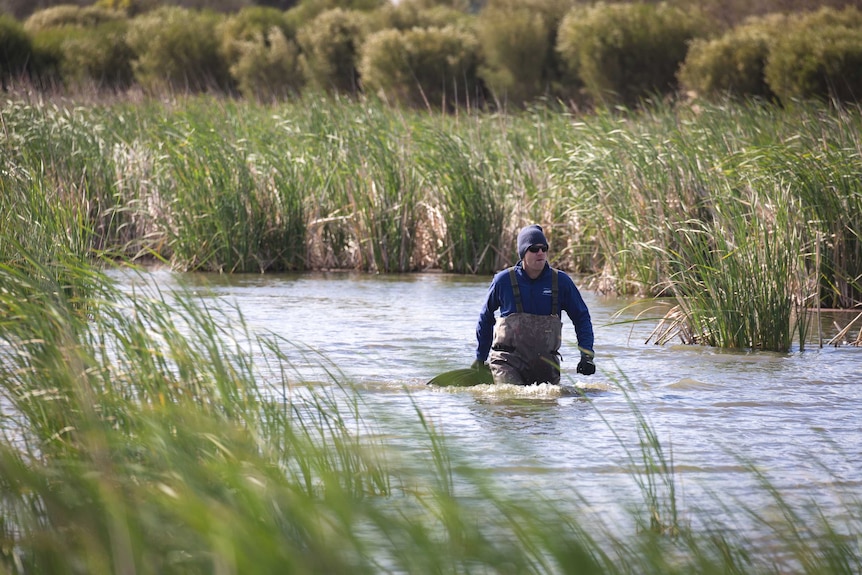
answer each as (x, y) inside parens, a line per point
(794, 416)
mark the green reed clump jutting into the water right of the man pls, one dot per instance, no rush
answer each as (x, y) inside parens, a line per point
(736, 280)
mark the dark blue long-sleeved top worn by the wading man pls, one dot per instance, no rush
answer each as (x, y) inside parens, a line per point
(536, 299)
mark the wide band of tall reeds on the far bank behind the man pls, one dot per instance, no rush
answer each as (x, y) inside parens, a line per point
(746, 214)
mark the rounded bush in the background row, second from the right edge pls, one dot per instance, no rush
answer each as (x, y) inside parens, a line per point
(733, 64)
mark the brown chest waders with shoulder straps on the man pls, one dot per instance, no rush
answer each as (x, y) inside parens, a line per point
(525, 349)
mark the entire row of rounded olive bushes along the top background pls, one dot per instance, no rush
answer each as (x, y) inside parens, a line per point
(504, 54)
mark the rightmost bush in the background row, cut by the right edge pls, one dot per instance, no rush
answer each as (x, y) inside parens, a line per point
(818, 56)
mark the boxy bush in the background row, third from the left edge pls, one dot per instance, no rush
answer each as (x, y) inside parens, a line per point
(177, 49)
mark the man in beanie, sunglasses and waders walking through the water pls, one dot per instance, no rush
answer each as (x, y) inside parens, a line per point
(523, 346)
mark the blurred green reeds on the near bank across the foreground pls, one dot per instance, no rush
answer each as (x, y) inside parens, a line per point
(141, 433)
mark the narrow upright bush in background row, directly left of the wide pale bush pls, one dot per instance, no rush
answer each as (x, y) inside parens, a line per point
(330, 49)
